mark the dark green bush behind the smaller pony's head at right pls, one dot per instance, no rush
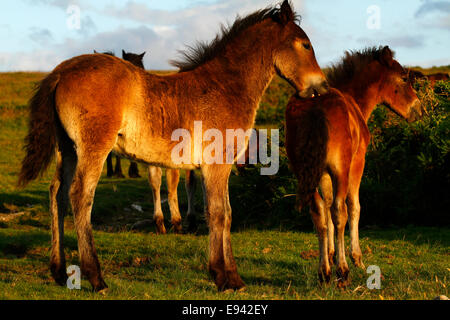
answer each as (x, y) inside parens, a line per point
(406, 179)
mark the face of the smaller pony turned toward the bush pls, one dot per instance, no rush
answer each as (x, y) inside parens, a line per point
(396, 90)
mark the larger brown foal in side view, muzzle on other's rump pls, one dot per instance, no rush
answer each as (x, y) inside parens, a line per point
(92, 104)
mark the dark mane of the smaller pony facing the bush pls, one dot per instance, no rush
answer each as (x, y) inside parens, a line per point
(351, 64)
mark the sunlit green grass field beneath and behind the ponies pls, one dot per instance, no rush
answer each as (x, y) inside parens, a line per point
(275, 264)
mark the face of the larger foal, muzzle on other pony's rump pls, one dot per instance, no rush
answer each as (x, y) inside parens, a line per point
(295, 60)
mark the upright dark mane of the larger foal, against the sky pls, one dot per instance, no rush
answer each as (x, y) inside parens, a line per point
(203, 52)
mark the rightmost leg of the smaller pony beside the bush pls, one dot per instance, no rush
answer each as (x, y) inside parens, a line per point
(354, 209)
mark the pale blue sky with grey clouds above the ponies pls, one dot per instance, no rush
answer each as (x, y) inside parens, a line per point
(37, 35)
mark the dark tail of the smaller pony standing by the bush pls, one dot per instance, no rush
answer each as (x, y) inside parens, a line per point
(310, 153)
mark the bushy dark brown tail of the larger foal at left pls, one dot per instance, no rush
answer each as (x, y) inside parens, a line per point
(41, 139)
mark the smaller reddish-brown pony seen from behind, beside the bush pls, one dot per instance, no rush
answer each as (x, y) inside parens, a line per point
(360, 82)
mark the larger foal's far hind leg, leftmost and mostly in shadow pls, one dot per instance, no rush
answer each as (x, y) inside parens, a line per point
(66, 160)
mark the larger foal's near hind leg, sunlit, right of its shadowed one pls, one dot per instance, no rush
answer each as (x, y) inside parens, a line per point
(82, 191)
